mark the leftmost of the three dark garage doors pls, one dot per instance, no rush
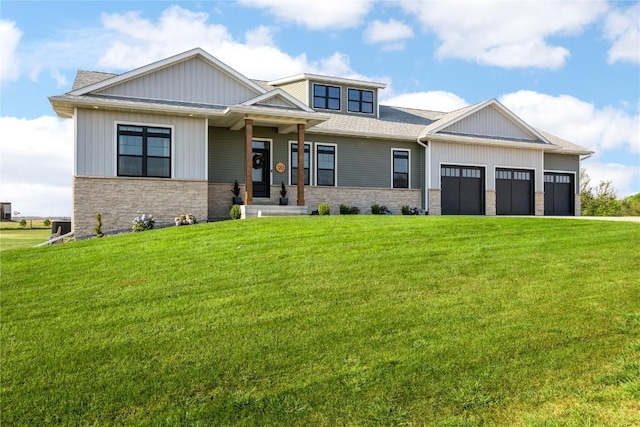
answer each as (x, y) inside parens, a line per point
(462, 190)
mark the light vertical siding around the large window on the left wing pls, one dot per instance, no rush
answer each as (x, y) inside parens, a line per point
(96, 146)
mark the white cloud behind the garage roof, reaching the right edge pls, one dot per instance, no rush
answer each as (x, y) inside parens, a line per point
(599, 129)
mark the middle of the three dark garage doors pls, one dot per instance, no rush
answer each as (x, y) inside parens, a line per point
(514, 192)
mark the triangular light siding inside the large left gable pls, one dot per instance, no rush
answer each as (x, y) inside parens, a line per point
(193, 80)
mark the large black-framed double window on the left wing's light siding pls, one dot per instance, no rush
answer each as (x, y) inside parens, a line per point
(144, 151)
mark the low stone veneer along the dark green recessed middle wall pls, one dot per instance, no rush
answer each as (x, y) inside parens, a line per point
(220, 198)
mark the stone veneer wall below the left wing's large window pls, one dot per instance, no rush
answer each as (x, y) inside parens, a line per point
(120, 200)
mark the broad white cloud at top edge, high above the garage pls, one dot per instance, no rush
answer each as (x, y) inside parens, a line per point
(507, 34)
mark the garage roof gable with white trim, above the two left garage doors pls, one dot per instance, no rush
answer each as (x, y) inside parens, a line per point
(488, 119)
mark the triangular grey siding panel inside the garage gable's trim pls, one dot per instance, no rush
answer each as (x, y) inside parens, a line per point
(489, 122)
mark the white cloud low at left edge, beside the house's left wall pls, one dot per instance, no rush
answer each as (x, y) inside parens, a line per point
(36, 158)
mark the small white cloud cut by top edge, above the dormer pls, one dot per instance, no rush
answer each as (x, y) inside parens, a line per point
(316, 15)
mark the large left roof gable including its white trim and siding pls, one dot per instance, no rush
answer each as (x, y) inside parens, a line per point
(193, 76)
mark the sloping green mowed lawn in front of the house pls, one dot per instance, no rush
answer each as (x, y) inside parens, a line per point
(352, 320)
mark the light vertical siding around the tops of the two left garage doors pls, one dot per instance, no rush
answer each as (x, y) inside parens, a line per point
(488, 157)
